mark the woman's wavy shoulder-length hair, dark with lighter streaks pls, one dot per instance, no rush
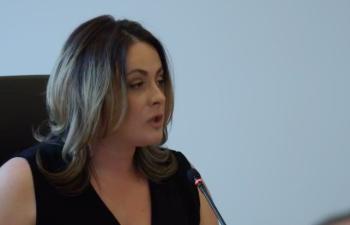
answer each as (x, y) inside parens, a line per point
(86, 98)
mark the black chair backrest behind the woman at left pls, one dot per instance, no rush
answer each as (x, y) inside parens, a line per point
(22, 109)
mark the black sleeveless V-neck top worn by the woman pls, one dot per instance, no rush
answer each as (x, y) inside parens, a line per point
(173, 201)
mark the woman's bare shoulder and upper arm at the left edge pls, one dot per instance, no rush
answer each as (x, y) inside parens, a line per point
(17, 199)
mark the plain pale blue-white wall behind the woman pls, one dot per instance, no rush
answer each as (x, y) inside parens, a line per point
(262, 93)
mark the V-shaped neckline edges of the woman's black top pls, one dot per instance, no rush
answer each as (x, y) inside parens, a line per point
(104, 207)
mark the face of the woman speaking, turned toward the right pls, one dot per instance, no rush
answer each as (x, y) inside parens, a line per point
(144, 121)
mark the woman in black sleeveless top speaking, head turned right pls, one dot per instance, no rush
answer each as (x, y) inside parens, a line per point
(109, 101)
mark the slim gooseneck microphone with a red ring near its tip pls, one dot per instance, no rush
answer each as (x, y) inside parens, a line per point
(195, 178)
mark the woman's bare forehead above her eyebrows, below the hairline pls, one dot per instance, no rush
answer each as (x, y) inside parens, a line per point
(141, 55)
